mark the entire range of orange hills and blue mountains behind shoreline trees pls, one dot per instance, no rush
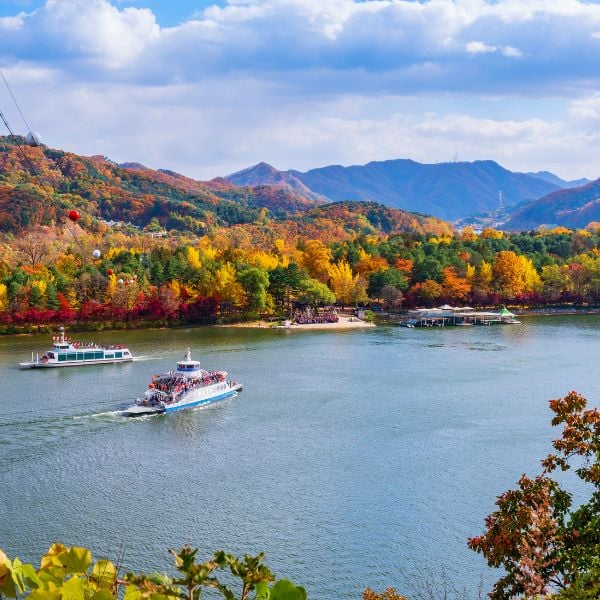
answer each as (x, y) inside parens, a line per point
(38, 184)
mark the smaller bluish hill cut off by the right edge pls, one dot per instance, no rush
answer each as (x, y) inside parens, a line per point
(575, 207)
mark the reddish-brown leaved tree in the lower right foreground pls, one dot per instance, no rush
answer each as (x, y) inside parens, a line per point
(544, 545)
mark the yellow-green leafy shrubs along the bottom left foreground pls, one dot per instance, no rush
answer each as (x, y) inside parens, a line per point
(68, 574)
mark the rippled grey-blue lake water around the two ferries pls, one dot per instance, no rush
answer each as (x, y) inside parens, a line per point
(353, 458)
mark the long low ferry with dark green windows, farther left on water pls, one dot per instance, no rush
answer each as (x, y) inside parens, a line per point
(67, 353)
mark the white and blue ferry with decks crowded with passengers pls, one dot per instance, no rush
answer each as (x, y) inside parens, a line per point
(186, 387)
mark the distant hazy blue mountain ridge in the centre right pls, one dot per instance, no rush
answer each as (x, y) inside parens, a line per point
(446, 190)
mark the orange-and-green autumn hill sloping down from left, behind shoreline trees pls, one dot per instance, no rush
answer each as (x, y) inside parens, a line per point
(38, 186)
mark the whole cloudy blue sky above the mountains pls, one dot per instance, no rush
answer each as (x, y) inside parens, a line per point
(207, 88)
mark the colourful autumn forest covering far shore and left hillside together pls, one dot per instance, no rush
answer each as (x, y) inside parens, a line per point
(170, 248)
